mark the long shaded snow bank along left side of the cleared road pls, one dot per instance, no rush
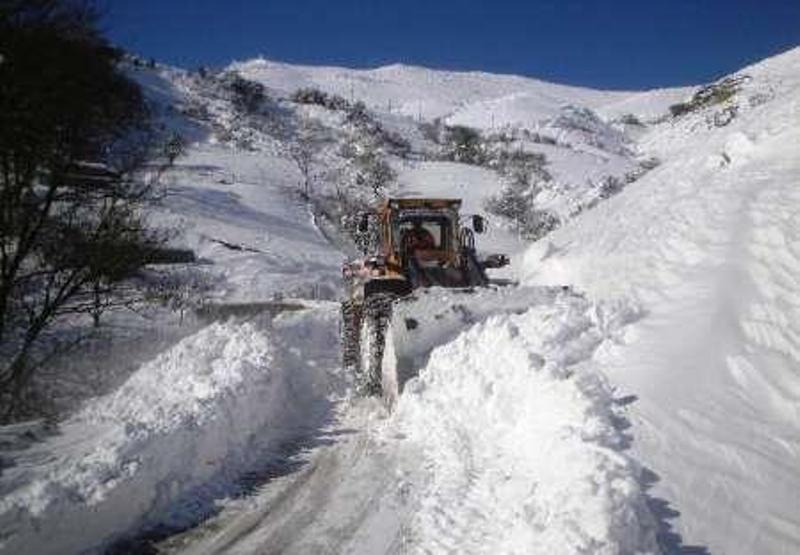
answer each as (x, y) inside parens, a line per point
(177, 434)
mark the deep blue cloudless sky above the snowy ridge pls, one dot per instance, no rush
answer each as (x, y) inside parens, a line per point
(623, 44)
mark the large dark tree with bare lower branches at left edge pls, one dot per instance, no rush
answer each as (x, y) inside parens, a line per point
(73, 131)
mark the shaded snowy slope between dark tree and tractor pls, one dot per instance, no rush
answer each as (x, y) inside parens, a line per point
(238, 210)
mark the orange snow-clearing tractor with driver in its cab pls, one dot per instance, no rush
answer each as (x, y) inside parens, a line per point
(410, 245)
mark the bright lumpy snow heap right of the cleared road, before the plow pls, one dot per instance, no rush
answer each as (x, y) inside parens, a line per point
(521, 442)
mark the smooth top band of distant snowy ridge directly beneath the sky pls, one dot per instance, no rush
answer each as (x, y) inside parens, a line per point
(466, 97)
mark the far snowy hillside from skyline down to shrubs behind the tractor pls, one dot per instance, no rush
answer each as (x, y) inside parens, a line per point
(562, 123)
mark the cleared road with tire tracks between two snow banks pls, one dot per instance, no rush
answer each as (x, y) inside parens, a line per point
(349, 498)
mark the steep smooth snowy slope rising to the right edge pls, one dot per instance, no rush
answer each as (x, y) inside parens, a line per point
(709, 244)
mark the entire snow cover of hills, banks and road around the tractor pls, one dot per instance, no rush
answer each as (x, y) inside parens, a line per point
(650, 406)
